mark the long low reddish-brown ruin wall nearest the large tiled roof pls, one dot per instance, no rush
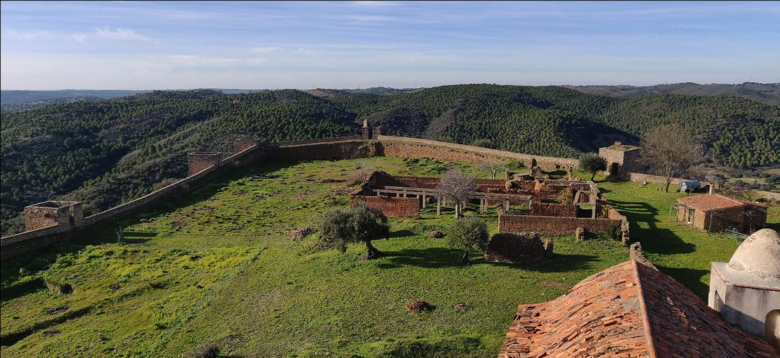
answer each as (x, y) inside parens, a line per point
(552, 226)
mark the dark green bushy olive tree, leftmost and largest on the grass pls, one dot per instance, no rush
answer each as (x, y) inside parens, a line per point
(360, 223)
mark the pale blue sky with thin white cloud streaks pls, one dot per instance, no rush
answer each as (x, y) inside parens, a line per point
(254, 45)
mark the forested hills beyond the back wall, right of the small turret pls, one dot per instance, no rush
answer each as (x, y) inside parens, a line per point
(557, 121)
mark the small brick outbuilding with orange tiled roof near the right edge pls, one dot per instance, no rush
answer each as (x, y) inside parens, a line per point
(716, 213)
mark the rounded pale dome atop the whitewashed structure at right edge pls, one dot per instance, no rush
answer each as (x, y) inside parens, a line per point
(759, 254)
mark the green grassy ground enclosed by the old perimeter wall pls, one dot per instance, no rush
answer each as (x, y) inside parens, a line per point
(217, 268)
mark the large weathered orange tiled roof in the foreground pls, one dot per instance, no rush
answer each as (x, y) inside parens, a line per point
(628, 310)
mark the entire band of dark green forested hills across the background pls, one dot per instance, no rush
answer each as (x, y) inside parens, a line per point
(106, 152)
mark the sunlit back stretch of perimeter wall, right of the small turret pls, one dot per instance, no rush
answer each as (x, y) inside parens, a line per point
(403, 147)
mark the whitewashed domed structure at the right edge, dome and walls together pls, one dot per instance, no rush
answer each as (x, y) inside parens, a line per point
(746, 290)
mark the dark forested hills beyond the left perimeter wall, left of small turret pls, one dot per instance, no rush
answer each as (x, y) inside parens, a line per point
(106, 152)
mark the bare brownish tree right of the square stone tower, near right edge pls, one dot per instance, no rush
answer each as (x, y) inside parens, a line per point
(669, 151)
